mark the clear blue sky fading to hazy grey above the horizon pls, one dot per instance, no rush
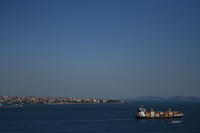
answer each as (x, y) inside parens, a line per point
(100, 48)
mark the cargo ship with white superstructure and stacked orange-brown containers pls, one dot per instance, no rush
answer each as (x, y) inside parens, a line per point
(152, 114)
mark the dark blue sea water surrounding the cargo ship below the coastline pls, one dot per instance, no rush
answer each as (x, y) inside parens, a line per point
(95, 118)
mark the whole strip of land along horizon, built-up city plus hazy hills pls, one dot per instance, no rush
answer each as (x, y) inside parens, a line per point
(20, 100)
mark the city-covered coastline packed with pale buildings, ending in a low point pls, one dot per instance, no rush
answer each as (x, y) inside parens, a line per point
(54, 100)
